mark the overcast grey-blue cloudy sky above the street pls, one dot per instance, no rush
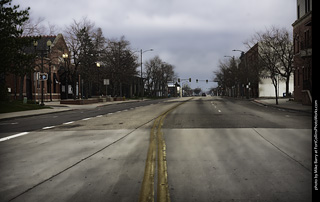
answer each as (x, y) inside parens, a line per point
(192, 35)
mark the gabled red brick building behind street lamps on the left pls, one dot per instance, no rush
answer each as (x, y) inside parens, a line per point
(53, 65)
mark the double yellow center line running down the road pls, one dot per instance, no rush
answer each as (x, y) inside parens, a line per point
(156, 151)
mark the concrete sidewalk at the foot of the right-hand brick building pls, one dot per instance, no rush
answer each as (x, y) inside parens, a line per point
(284, 103)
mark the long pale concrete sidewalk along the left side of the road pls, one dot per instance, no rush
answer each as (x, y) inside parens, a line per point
(56, 107)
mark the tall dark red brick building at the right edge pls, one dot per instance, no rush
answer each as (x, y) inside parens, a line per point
(302, 39)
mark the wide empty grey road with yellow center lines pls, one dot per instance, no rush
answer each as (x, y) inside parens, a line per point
(211, 148)
